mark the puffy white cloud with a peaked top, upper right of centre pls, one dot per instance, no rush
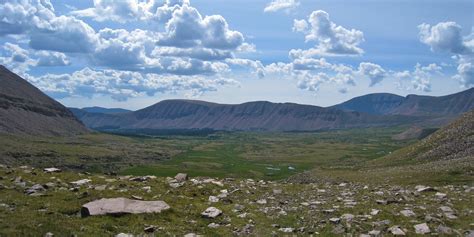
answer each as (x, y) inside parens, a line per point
(331, 39)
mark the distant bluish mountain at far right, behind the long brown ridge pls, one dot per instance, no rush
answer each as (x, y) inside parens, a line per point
(412, 105)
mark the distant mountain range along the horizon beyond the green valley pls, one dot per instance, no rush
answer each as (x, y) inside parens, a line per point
(366, 111)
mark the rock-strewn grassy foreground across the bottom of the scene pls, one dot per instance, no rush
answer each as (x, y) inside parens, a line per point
(49, 202)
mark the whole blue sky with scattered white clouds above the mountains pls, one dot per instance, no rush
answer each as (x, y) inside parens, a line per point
(135, 53)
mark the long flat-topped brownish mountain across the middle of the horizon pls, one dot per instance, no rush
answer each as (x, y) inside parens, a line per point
(252, 116)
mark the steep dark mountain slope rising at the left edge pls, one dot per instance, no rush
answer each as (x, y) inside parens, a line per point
(24, 109)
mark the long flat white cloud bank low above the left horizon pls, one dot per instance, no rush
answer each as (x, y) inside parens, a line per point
(121, 85)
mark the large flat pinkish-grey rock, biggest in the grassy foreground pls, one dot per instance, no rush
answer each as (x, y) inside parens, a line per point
(119, 206)
